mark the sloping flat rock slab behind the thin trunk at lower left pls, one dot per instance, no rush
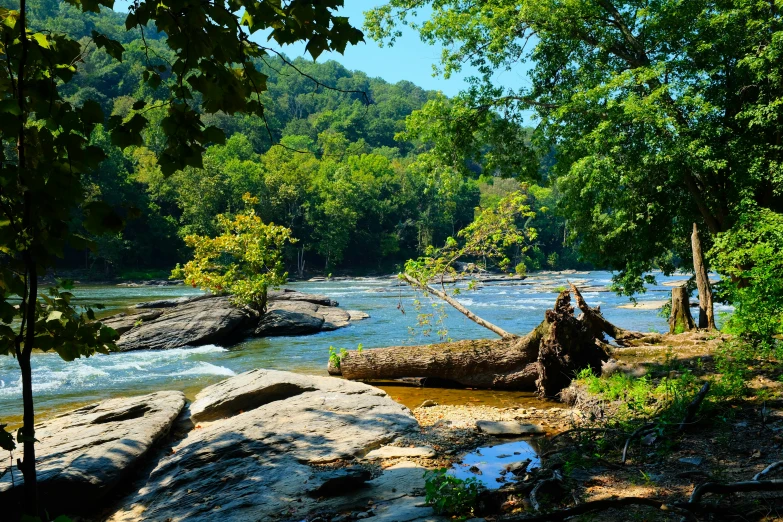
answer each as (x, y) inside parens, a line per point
(84, 454)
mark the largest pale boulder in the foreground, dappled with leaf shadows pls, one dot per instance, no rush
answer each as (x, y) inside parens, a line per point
(271, 445)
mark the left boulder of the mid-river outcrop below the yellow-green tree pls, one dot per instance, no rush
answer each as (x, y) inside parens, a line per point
(196, 322)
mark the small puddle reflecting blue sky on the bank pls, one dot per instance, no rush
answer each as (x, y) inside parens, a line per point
(489, 465)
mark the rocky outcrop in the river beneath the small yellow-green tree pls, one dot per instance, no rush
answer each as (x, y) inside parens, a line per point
(209, 319)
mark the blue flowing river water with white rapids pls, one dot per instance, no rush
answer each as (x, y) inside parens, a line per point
(517, 306)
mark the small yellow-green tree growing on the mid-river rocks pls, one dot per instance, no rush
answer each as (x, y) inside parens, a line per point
(244, 261)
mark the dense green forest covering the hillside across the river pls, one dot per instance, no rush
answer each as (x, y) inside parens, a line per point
(323, 161)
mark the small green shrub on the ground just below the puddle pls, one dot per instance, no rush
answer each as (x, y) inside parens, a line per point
(449, 495)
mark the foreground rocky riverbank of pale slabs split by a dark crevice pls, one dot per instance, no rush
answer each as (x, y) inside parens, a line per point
(264, 445)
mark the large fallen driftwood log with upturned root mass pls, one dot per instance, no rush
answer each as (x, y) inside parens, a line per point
(546, 359)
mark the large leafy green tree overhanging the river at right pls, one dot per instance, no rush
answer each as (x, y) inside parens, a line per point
(661, 113)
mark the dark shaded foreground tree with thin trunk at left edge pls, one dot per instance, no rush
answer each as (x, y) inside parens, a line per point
(45, 151)
